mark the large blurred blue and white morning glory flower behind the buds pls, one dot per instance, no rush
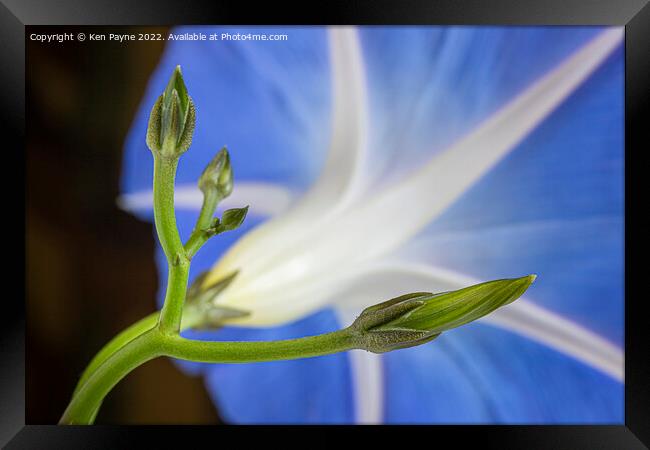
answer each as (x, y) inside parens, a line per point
(383, 160)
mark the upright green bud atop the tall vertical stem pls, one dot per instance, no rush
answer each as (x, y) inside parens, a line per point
(172, 119)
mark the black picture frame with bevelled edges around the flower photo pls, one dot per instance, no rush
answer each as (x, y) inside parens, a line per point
(634, 15)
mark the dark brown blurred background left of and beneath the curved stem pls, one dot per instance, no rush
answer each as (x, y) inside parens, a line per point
(85, 258)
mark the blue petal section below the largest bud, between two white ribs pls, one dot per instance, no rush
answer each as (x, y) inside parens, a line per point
(479, 374)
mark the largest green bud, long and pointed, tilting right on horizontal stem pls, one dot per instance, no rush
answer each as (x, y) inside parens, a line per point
(414, 319)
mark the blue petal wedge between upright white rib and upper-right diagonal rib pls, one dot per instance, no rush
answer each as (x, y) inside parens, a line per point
(431, 85)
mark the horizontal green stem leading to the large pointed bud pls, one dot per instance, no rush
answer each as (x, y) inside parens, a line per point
(247, 352)
